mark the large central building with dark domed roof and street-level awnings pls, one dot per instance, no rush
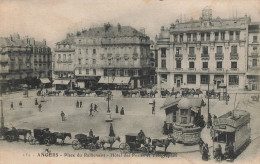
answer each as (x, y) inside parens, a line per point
(117, 55)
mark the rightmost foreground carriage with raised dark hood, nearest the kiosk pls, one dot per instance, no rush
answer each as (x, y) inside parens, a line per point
(133, 144)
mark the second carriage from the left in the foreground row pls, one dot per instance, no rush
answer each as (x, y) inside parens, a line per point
(42, 136)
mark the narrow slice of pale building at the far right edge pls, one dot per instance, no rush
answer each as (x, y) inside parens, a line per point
(253, 66)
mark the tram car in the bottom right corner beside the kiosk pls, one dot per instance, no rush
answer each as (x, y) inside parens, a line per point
(231, 133)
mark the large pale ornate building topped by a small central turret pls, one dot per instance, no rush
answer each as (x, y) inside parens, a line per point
(197, 52)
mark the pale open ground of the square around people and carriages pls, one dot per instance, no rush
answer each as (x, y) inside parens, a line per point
(138, 115)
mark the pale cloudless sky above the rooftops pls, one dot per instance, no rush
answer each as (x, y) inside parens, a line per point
(52, 19)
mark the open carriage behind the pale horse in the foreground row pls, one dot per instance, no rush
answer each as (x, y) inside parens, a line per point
(83, 141)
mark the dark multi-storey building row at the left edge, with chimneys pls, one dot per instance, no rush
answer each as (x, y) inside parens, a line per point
(23, 61)
